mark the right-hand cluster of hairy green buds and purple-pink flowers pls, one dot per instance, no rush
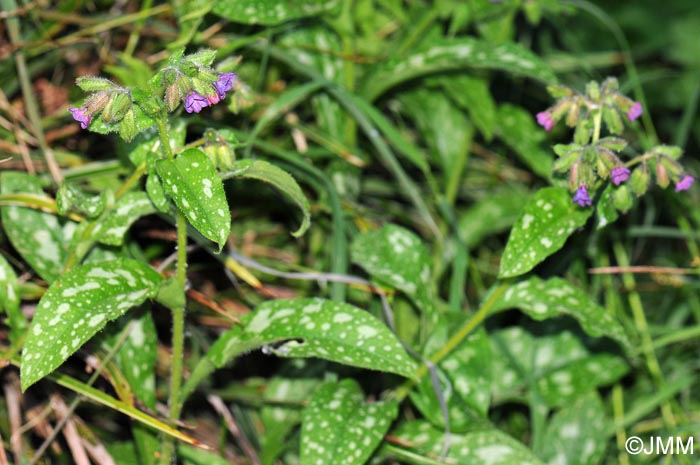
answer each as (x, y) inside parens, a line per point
(591, 159)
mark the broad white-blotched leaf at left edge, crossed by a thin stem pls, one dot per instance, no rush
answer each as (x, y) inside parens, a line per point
(37, 236)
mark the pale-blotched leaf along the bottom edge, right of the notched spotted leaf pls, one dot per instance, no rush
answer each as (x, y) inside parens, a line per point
(491, 446)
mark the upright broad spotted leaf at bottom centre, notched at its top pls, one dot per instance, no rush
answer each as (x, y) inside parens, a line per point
(339, 428)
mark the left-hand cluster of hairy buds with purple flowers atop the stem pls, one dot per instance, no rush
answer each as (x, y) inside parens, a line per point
(187, 79)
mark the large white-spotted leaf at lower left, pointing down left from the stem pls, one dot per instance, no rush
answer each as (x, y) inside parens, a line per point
(78, 305)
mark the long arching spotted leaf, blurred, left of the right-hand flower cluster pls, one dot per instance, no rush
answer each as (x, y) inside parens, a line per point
(456, 54)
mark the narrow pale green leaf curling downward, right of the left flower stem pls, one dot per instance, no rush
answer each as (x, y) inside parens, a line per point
(280, 179)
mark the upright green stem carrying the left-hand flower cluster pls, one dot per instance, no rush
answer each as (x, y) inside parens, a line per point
(178, 332)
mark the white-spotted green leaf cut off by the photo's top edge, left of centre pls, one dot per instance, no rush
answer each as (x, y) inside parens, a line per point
(270, 12)
